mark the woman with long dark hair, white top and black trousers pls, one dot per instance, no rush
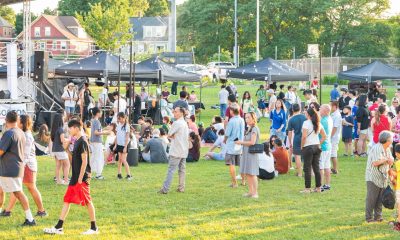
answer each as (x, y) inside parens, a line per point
(310, 149)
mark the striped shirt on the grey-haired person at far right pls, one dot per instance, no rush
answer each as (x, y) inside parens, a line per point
(378, 175)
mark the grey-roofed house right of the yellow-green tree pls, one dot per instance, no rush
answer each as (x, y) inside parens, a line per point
(150, 34)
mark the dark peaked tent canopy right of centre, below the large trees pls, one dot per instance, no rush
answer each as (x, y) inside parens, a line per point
(269, 70)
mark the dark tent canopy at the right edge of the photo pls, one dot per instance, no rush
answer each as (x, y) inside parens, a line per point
(370, 72)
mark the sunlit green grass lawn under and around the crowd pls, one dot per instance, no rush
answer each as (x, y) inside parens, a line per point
(209, 209)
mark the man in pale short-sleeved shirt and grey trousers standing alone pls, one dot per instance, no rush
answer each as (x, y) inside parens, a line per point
(179, 134)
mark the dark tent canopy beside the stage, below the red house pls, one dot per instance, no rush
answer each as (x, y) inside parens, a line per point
(96, 66)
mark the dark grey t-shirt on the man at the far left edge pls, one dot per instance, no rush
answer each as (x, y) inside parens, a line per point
(12, 143)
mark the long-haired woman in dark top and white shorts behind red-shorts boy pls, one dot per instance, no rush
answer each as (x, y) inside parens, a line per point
(58, 142)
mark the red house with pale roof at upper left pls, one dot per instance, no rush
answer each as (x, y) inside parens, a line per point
(61, 36)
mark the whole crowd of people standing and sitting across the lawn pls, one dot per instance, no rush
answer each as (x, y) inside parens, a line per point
(304, 133)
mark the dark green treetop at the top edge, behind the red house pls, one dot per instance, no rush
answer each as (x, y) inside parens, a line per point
(72, 7)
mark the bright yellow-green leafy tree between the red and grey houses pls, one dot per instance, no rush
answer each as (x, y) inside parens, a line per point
(108, 22)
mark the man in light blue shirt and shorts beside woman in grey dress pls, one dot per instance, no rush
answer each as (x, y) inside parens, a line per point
(234, 132)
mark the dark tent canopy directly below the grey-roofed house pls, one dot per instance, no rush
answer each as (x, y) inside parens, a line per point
(149, 69)
